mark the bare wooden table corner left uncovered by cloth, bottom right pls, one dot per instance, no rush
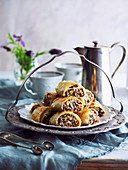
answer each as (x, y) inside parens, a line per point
(116, 160)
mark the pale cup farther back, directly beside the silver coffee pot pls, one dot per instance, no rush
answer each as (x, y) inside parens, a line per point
(72, 71)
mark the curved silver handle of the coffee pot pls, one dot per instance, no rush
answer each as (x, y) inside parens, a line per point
(118, 44)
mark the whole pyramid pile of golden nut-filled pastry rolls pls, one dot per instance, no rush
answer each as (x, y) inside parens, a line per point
(70, 106)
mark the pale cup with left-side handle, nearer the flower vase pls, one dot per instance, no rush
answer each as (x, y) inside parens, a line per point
(41, 82)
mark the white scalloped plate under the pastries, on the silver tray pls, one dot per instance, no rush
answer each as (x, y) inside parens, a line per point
(24, 114)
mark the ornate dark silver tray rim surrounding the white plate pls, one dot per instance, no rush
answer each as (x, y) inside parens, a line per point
(14, 118)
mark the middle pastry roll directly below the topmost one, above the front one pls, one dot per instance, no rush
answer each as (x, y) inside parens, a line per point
(67, 104)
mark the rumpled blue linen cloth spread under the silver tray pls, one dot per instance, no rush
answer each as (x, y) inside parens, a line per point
(69, 150)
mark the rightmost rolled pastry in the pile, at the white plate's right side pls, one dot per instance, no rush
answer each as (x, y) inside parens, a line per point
(98, 107)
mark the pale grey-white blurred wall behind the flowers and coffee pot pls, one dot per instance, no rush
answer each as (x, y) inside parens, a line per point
(63, 24)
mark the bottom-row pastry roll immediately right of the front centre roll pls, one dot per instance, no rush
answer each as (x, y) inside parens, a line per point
(88, 116)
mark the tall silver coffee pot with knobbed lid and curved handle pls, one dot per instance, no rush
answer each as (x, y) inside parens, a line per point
(93, 78)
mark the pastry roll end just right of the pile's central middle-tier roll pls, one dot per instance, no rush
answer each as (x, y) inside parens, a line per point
(87, 98)
